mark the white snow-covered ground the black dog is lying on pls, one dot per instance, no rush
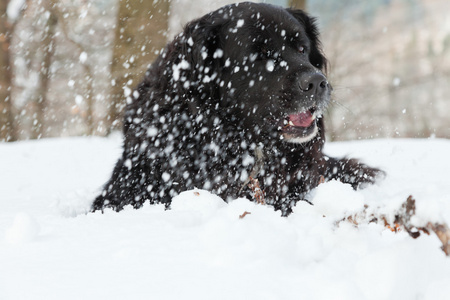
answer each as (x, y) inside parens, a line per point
(51, 249)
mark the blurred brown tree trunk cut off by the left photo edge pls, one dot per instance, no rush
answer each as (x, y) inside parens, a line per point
(7, 128)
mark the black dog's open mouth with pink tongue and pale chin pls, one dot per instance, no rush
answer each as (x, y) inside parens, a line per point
(300, 127)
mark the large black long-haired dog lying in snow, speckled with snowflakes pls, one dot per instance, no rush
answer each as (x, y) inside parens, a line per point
(233, 105)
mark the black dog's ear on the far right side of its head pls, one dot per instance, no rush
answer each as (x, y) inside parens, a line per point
(316, 55)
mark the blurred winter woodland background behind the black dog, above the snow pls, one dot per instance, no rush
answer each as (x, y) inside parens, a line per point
(66, 66)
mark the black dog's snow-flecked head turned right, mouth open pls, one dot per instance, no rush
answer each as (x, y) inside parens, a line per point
(264, 66)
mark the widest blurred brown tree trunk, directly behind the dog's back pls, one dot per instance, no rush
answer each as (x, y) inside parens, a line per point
(141, 32)
